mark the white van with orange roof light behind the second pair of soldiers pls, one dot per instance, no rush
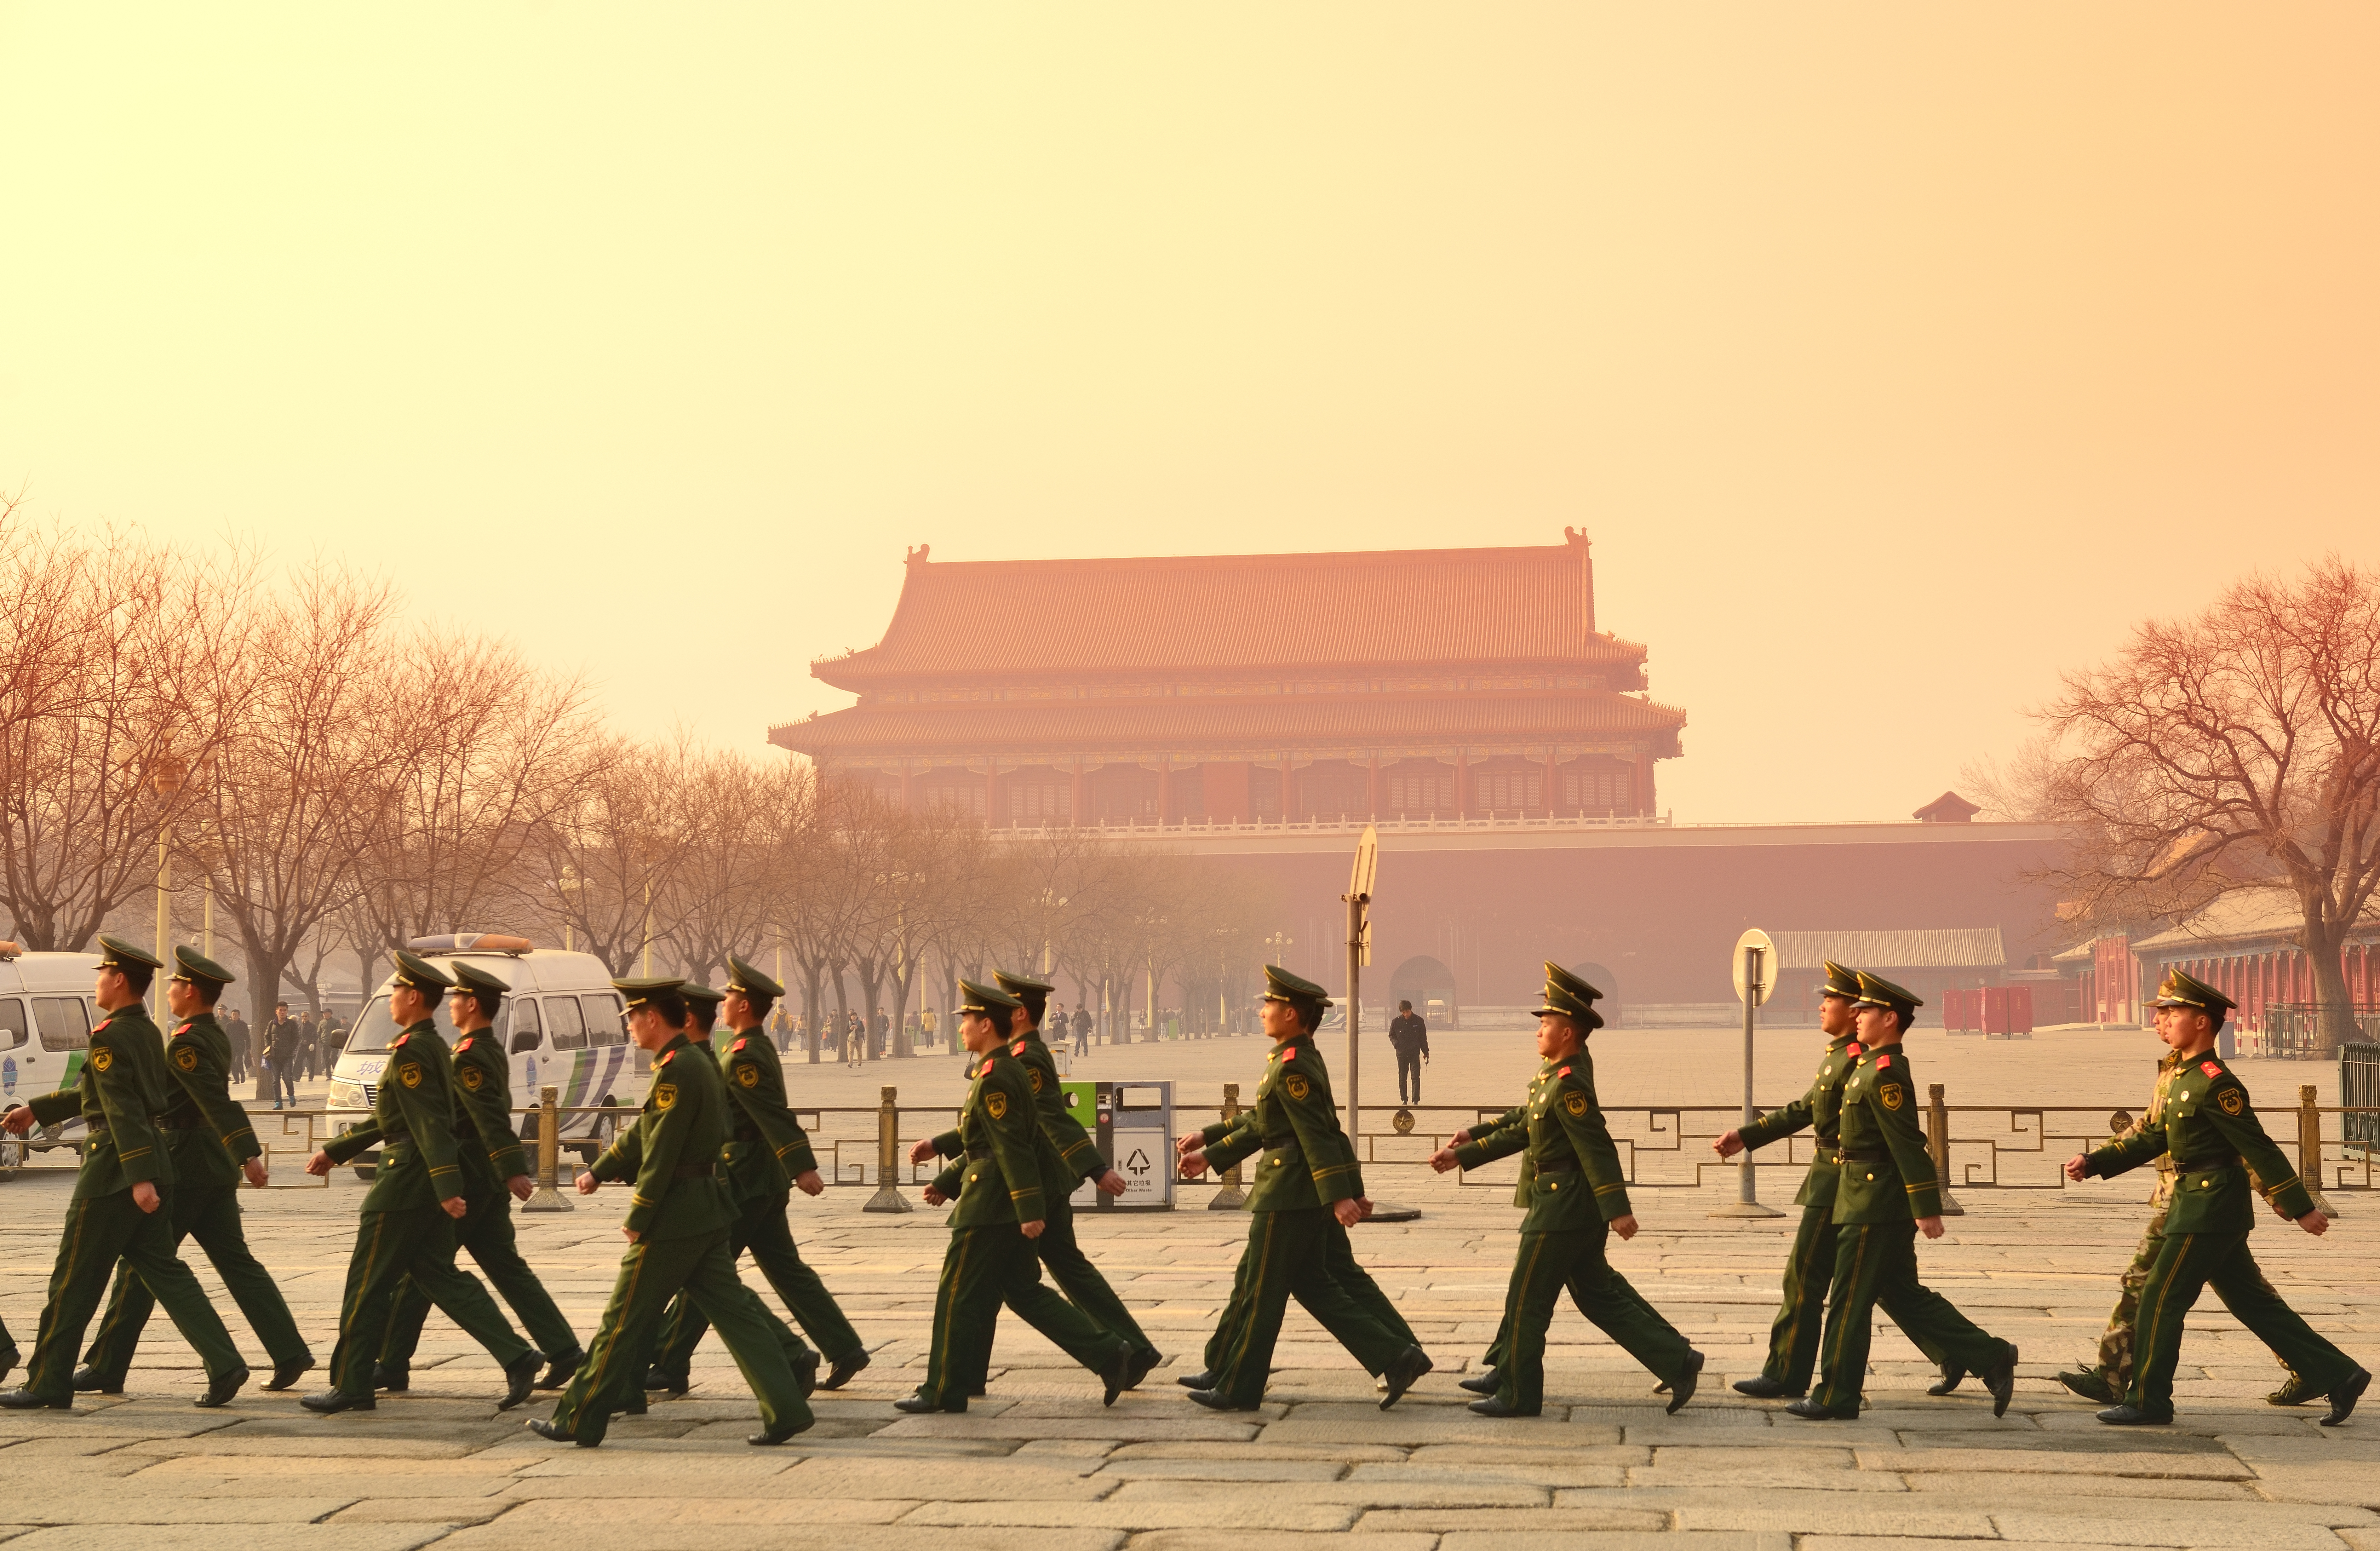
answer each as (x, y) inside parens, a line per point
(563, 1029)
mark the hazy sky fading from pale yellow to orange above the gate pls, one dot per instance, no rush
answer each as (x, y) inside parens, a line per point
(1893, 356)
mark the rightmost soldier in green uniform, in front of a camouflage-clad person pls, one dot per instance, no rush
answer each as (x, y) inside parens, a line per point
(2212, 1134)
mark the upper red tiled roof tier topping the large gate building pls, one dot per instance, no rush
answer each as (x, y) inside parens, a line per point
(1239, 613)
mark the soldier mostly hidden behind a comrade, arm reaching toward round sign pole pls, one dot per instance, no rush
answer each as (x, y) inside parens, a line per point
(1810, 1267)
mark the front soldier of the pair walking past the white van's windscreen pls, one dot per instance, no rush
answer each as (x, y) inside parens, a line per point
(415, 1203)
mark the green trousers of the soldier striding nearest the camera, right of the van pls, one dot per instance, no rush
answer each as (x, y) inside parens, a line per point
(632, 1319)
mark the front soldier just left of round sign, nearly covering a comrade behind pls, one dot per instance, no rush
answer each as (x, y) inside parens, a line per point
(1577, 1198)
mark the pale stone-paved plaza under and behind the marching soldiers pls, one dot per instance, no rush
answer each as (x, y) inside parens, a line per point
(1041, 1467)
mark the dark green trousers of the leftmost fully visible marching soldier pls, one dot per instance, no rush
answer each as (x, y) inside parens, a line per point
(99, 1233)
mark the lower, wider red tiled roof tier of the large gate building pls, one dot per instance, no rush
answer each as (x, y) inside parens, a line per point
(1058, 727)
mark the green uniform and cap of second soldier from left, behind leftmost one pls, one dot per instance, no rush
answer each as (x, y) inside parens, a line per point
(208, 1138)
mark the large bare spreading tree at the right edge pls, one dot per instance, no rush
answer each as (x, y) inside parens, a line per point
(2234, 751)
